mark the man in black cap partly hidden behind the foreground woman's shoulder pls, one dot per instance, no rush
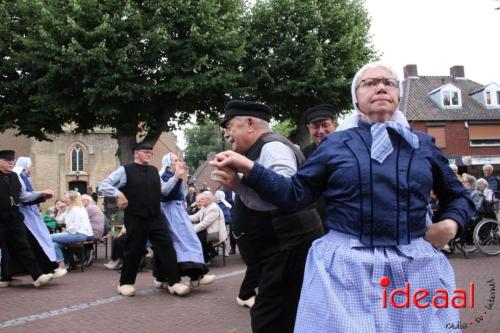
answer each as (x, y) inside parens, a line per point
(320, 120)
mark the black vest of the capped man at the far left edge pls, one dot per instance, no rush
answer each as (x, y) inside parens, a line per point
(10, 189)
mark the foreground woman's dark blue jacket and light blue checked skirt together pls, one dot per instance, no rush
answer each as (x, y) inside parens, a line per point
(376, 216)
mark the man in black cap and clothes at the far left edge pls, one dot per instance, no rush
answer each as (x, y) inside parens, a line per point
(13, 238)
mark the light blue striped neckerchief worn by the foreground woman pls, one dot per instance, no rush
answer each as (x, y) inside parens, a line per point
(381, 143)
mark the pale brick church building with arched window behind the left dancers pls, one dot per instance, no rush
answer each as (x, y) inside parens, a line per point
(76, 161)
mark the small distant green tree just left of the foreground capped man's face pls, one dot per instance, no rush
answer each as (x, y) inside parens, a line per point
(200, 141)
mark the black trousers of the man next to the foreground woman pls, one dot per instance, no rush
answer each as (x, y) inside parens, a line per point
(280, 282)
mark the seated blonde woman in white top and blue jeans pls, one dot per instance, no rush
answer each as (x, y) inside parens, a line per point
(76, 229)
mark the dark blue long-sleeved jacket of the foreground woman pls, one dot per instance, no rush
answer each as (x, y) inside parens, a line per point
(384, 204)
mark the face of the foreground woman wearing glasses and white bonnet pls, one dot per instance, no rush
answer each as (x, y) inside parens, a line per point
(377, 99)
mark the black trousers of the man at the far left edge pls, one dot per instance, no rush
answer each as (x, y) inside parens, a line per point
(13, 241)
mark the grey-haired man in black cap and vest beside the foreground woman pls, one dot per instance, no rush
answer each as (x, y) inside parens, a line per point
(273, 242)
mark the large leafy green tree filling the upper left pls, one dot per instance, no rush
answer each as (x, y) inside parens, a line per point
(130, 65)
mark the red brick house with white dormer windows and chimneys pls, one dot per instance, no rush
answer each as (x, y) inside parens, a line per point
(462, 115)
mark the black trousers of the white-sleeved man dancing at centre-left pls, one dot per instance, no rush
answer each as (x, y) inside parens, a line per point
(139, 230)
